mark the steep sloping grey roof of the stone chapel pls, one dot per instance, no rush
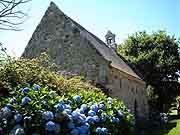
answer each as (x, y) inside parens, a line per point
(108, 53)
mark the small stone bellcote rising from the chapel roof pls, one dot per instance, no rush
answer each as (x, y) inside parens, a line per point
(110, 40)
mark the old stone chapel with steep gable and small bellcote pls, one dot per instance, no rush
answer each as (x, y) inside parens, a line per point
(76, 50)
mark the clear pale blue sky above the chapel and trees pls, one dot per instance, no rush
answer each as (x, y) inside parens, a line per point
(122, 17)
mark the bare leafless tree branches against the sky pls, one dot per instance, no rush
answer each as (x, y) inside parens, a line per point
(11, 16)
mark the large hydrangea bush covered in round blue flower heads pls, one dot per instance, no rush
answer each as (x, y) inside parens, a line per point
(38, 110)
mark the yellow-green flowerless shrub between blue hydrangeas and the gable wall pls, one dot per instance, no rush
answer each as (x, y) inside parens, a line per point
(41, 71)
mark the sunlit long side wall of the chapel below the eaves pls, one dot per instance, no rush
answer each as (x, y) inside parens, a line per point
(129, 90)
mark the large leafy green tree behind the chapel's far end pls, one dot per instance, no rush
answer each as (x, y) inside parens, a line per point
(157, 57)
